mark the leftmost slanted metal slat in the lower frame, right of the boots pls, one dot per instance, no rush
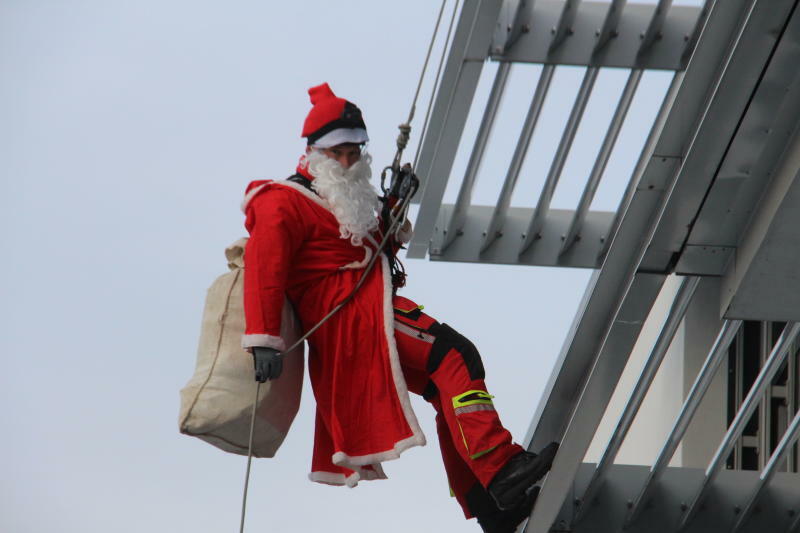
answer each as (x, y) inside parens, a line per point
(676, 313)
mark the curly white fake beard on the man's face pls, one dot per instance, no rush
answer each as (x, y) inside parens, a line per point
(349, 193)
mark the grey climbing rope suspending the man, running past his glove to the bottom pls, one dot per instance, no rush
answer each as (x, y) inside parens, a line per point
(397, 214)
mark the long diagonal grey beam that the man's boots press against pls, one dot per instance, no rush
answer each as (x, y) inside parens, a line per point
(593, 340)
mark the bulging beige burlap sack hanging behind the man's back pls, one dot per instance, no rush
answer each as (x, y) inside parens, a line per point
(216, 403)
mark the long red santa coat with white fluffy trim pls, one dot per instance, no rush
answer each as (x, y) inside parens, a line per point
(364, 414)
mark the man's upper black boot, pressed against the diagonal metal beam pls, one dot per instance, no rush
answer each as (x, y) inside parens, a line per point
(520, 473)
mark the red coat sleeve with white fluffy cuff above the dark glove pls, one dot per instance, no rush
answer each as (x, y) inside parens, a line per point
(276, 233)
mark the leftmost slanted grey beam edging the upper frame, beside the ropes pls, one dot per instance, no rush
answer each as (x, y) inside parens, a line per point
(453, 100)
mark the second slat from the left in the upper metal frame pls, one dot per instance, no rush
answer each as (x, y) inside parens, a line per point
(494, 228)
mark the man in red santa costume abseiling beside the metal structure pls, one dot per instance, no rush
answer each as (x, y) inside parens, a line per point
(311, 239)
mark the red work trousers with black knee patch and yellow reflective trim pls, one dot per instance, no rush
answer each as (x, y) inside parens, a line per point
(445, 368)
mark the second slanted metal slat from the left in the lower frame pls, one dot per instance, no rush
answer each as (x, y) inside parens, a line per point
(715, 357)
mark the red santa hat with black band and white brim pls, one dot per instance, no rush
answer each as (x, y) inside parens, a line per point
(332, 120)
